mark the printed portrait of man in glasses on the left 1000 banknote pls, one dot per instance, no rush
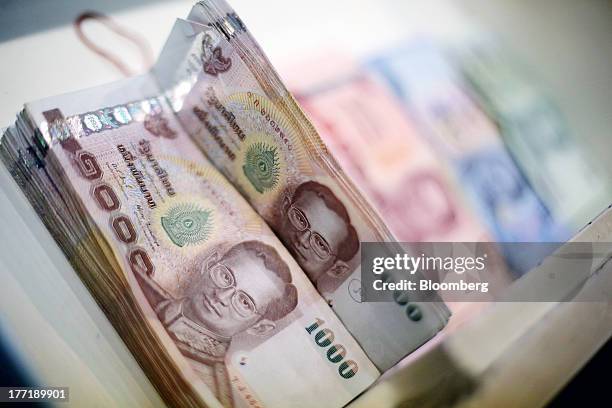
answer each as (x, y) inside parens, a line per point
(246, 289)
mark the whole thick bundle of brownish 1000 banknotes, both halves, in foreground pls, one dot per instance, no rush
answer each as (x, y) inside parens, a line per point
(220, 237)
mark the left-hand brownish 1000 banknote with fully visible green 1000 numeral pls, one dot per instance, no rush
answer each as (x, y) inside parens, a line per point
(222, 297)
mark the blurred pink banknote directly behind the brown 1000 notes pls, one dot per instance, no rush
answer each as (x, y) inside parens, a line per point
(376, 144)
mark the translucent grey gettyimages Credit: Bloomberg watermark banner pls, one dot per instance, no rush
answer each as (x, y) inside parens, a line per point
(481, 271)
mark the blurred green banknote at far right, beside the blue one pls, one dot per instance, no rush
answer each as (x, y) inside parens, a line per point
(536, 134)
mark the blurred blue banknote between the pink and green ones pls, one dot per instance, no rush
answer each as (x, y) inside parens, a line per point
(468, 141)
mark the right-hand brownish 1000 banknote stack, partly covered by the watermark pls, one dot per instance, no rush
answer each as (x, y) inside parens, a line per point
(230, 100)
